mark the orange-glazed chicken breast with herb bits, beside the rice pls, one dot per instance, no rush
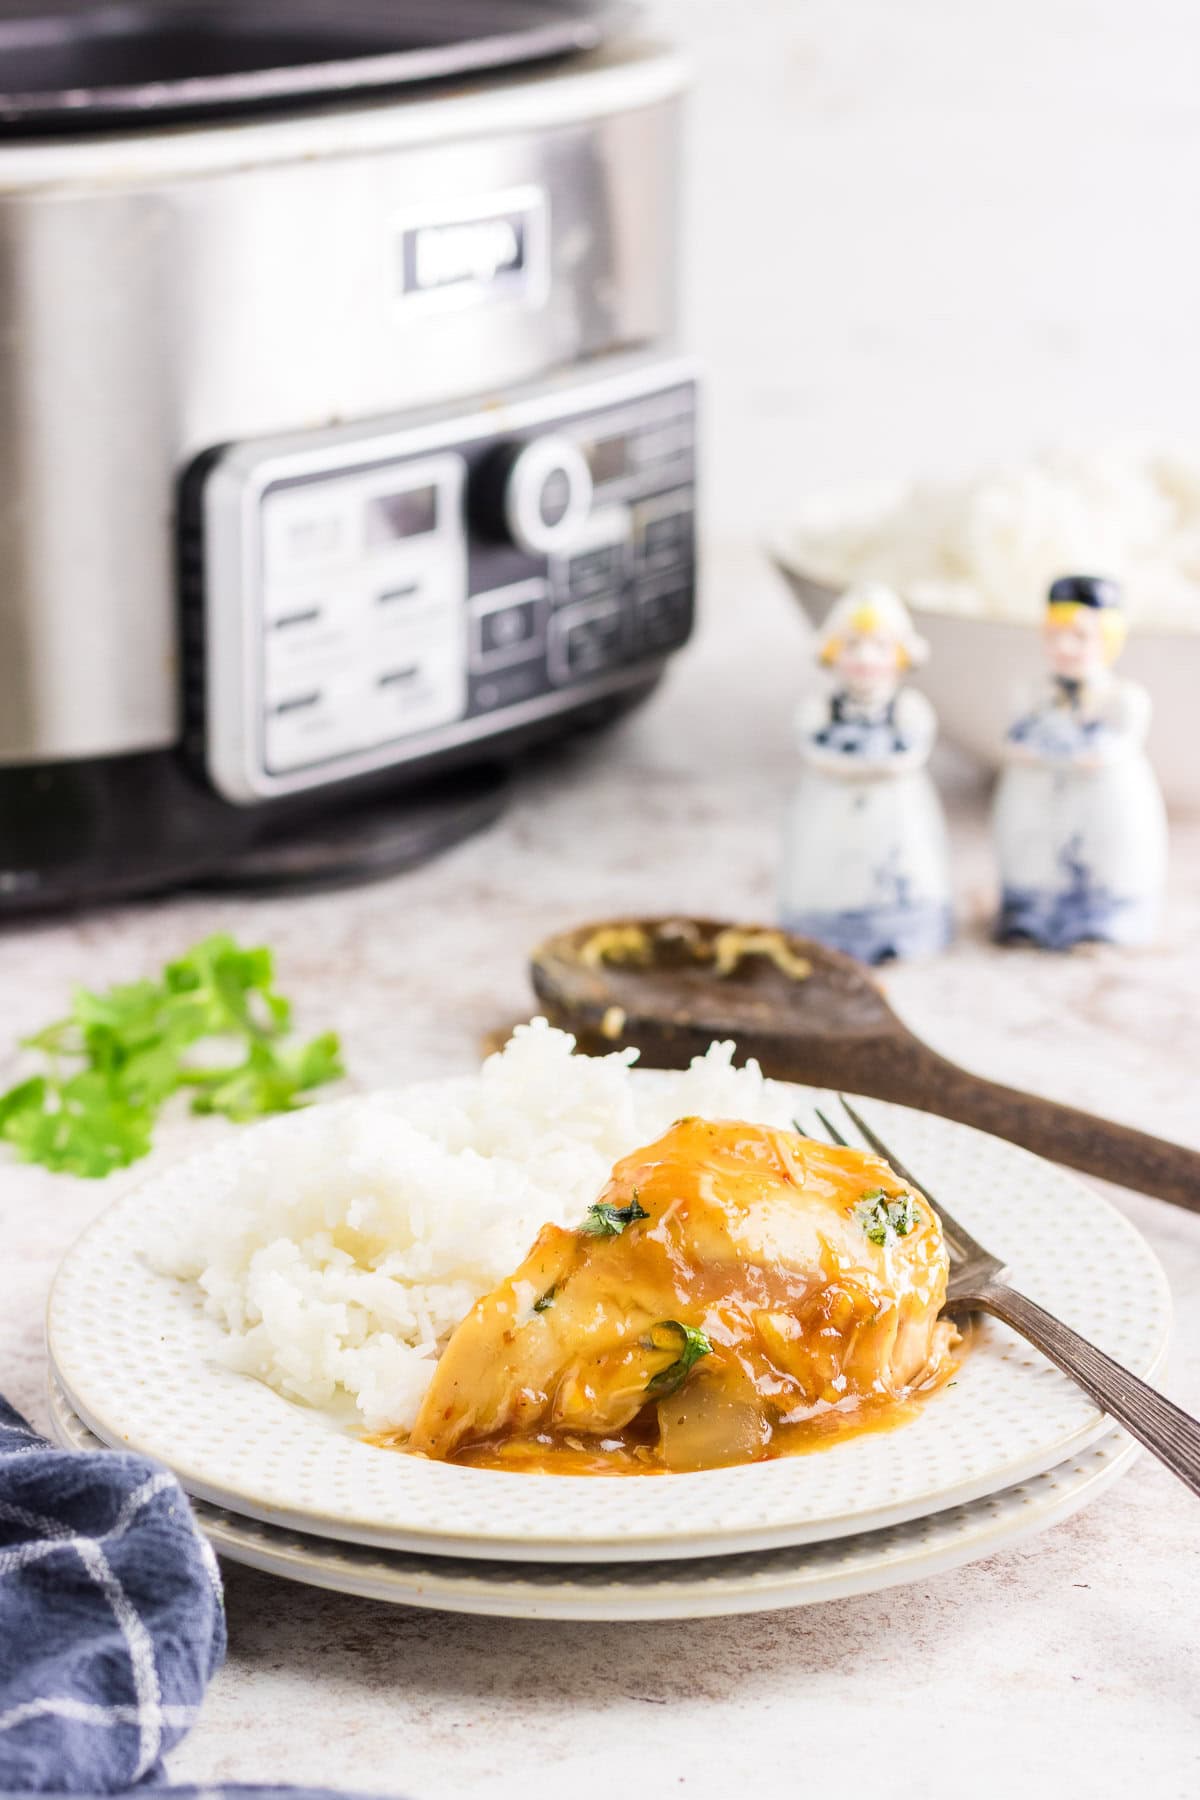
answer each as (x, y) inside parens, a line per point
(731, 1284)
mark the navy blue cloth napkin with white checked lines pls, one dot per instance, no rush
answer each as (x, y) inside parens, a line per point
(111, 1617)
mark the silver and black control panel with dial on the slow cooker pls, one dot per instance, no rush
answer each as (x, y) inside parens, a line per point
(368, 598)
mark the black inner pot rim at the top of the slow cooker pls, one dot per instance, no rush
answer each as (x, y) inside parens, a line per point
(87, 64)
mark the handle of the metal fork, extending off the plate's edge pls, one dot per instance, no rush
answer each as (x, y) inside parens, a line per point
(1167, 1430)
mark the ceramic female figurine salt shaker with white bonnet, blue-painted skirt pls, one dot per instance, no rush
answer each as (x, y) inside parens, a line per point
(866, 865)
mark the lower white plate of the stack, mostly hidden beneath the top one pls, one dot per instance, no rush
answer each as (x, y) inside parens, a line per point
(694, 1588)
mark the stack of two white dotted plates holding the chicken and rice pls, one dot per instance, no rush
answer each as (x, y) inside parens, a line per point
(1005, 1452)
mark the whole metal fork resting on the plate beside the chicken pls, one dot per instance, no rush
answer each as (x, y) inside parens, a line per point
(978, 1284)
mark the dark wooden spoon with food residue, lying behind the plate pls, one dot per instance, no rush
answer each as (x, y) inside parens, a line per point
(814, 1016)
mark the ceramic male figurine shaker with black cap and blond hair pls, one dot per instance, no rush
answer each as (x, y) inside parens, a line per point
(1080, 827)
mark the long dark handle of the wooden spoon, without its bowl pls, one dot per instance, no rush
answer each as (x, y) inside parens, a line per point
(1064, 1135)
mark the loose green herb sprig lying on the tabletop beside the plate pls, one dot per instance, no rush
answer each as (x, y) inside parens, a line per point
(120, 1056)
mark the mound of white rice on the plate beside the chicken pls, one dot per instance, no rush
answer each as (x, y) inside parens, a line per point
(348, 1246)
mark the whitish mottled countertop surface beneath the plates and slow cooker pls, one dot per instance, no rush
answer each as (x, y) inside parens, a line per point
(1073, 1657)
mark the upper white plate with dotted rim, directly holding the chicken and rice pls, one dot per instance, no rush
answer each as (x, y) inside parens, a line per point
(139, 1363)
